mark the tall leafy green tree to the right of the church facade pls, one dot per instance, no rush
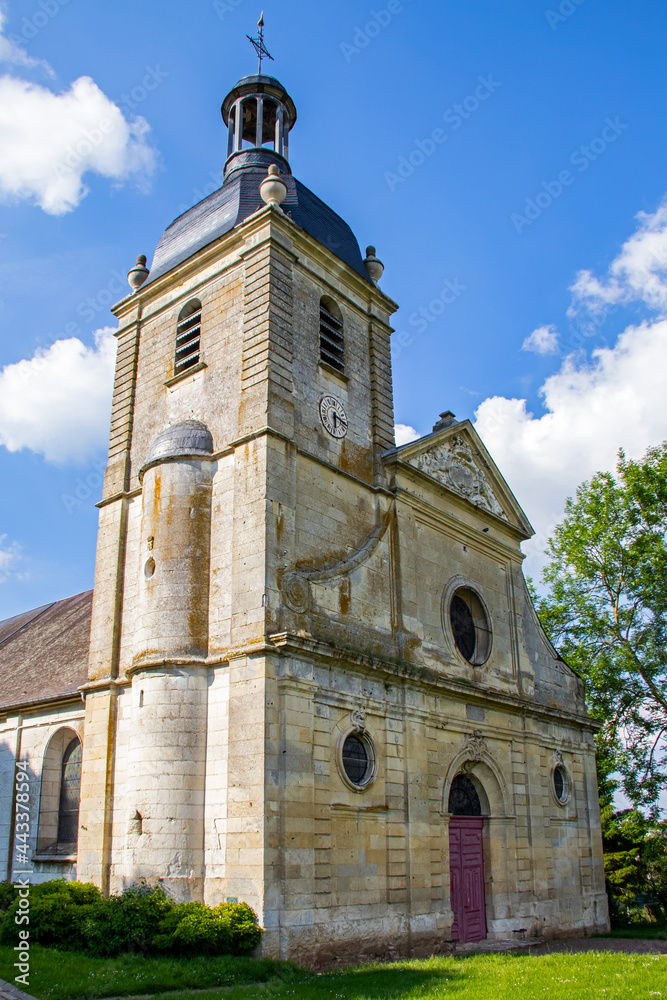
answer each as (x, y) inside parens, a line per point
(606, 612)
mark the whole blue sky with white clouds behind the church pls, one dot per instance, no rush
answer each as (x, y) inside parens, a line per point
(496, 154)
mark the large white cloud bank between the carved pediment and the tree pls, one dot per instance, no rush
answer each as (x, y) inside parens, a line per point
(592, 407)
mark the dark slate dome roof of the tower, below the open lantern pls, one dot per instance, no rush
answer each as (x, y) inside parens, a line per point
(237, 199)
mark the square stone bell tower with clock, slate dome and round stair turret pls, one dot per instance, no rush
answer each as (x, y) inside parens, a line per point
(252, 405)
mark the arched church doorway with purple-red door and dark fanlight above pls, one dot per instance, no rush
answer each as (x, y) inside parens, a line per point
(466, 861)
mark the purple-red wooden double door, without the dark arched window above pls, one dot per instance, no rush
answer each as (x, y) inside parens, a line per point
(466, 867)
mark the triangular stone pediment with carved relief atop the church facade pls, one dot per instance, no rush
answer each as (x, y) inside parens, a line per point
(456, 458)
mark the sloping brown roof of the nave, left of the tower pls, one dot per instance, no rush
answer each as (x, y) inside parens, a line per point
(44, 652)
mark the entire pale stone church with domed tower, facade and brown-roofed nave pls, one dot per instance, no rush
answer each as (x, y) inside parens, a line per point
(310, 675)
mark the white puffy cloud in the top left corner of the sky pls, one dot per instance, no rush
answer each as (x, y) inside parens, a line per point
(49, 141)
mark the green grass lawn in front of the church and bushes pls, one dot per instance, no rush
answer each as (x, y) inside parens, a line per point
(603, 976)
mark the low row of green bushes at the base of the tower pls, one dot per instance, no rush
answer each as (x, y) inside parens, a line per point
(74, 916)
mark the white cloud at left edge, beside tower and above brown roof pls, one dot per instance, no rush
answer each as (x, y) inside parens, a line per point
(58, 402)
